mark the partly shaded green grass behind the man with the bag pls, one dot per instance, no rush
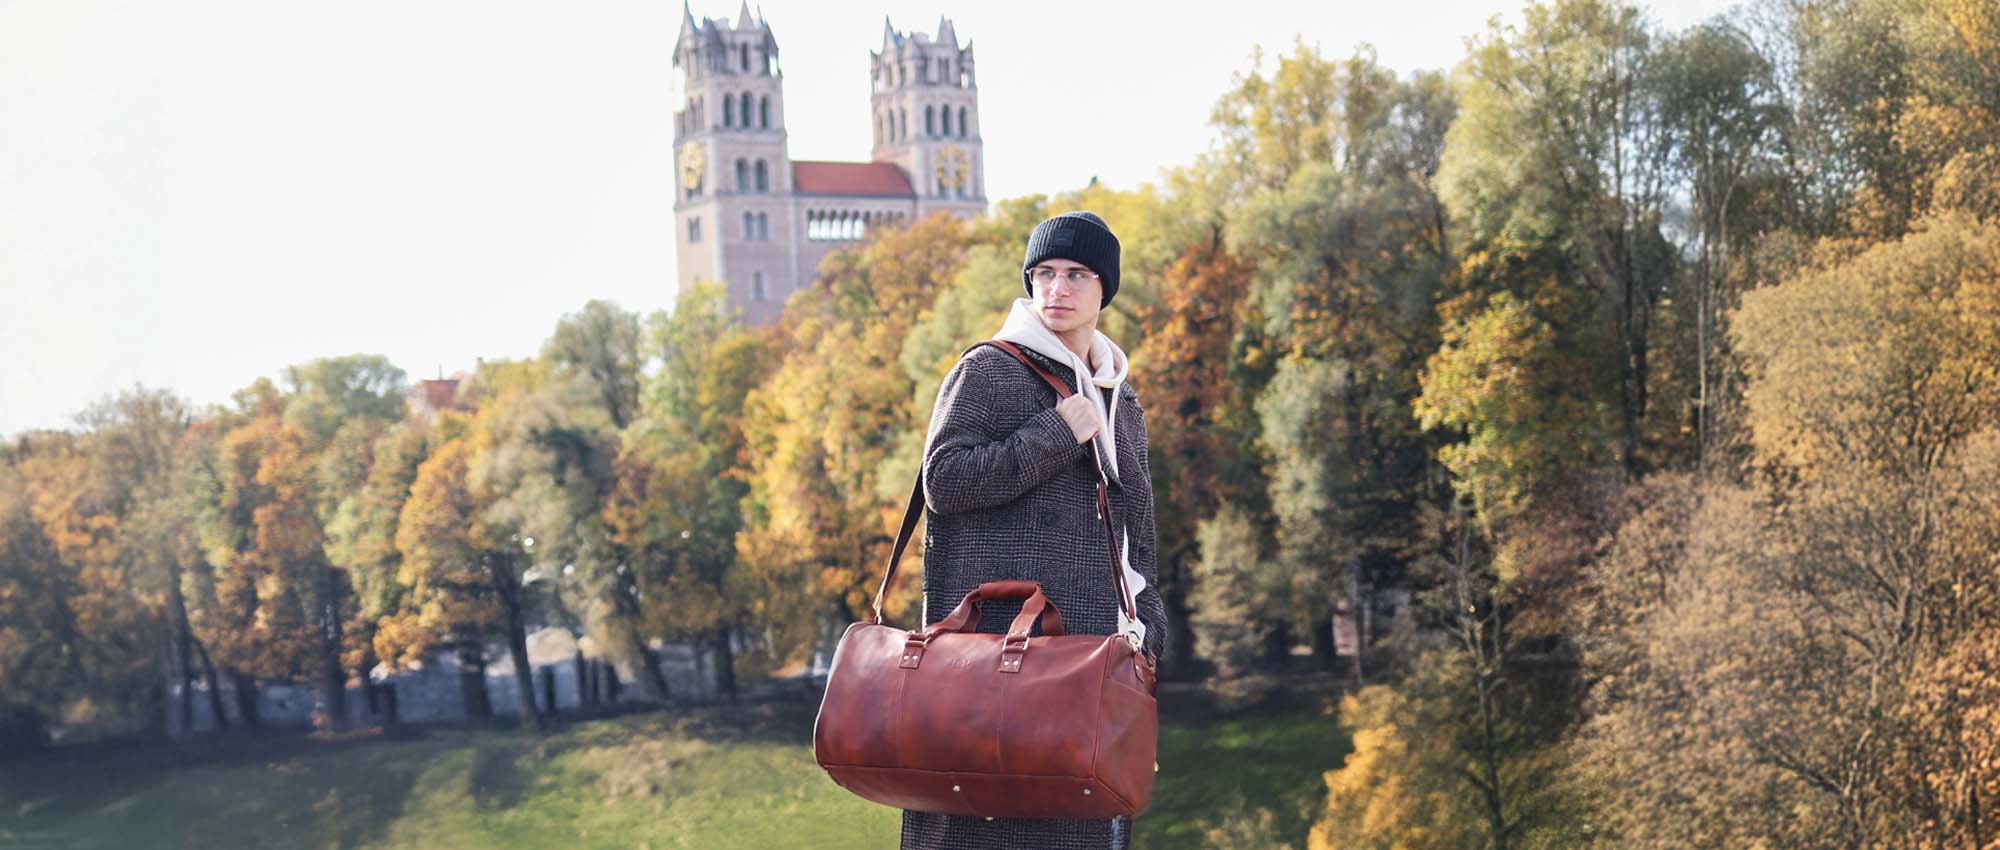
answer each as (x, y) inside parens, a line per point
(691, 779)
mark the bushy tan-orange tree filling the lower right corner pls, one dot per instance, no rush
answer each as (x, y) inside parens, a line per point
(1787, 661)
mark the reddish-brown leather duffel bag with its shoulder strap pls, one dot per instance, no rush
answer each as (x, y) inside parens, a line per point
(953, 721)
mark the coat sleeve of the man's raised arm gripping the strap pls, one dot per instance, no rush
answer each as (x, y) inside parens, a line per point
(971, 459)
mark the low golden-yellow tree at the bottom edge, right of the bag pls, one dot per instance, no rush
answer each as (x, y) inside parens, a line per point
(1465, 749)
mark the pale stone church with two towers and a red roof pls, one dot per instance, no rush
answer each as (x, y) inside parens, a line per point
(751, 215)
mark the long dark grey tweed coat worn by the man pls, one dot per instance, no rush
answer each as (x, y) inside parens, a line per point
(1013, 495)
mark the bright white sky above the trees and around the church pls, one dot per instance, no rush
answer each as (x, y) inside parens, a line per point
(199, 193)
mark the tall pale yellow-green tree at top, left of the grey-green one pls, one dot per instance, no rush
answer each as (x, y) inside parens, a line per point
(1559, 153)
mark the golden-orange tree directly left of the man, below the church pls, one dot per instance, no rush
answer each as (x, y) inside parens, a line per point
(819, 429)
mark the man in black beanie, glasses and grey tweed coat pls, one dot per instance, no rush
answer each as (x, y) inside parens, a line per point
(1011, 489)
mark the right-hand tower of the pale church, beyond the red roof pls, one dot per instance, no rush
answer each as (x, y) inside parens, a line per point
(927, 117)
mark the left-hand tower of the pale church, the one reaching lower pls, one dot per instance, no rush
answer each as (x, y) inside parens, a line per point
(733, 173)
